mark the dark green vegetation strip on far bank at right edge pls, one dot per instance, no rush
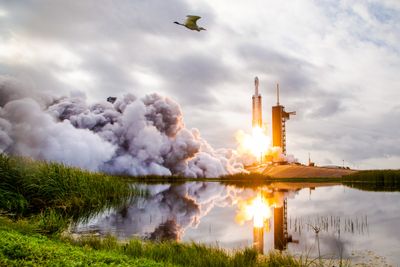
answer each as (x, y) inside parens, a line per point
(374, 180)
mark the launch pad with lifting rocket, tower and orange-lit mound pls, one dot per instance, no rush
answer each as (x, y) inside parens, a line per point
(275, 162)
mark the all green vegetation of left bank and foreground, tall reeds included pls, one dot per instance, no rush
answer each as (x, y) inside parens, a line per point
(43, 198)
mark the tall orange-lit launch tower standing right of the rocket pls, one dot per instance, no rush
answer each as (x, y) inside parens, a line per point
(279, 118)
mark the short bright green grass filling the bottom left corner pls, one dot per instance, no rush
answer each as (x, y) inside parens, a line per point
(29, 249)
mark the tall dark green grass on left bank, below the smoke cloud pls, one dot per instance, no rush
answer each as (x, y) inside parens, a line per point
(33, 187)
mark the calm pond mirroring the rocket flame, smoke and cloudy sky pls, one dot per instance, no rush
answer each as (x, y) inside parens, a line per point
(345, 222)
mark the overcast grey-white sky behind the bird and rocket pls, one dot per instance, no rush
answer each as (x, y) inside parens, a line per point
(337, 64)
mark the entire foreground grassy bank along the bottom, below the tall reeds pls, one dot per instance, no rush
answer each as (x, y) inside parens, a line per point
(20, 245)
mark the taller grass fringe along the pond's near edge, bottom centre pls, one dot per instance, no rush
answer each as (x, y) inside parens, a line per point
(191, 254)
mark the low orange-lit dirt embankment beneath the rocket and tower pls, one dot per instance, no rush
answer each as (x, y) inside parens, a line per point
(299, 171)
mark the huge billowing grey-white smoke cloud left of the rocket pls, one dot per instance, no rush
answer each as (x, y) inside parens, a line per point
(131, 136)
